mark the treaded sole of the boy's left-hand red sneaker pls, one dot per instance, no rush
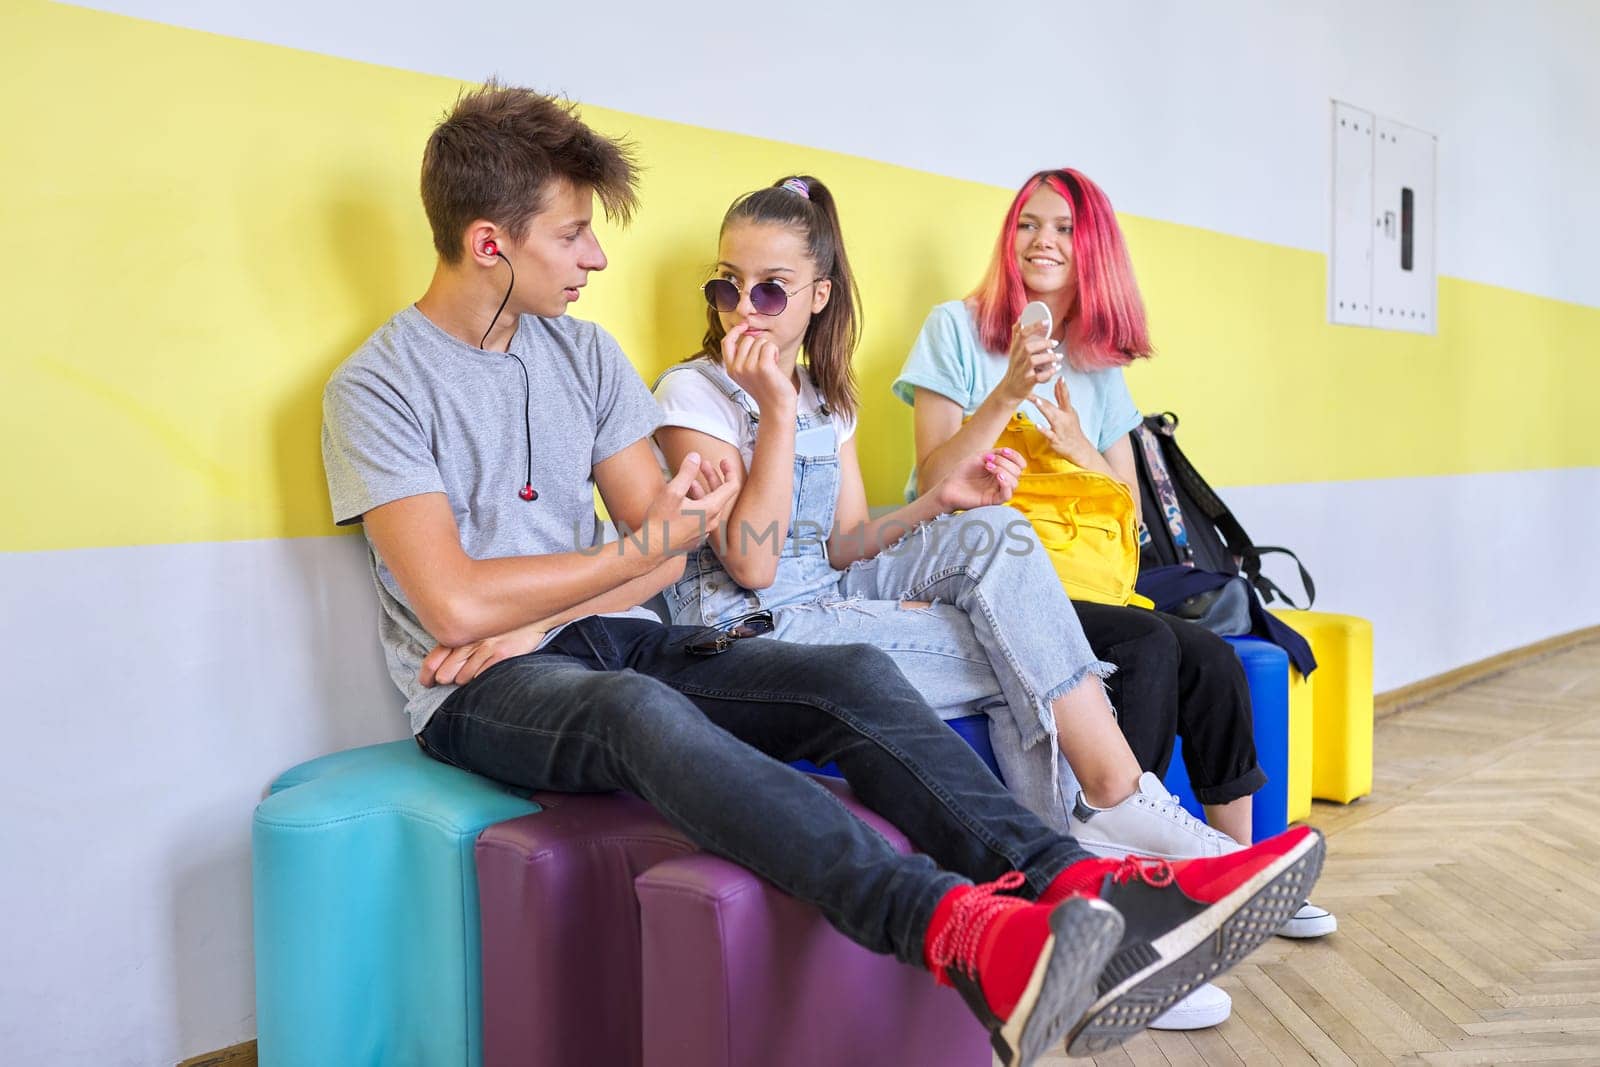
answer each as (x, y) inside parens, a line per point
(1086, 933)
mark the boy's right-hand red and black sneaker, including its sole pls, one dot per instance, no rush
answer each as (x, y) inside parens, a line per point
(1186, 922)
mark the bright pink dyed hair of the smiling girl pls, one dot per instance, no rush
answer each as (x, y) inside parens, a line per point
(1113, 330)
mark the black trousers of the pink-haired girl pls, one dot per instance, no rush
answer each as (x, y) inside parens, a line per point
(1175, 677)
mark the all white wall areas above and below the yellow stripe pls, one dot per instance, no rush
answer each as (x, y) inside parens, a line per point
(140, 748)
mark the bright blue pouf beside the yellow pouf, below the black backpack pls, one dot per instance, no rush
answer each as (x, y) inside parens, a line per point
(1268, 671)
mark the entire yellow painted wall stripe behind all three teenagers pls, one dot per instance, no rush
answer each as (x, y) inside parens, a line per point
(201, 228)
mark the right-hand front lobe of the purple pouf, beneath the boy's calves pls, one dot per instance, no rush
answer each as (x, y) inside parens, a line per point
(740, 973)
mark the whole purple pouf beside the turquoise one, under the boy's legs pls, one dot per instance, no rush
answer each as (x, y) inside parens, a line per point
(708, 967)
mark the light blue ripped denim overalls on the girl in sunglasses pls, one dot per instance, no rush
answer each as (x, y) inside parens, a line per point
(999, 633)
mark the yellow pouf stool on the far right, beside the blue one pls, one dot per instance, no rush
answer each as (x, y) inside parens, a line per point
(1342, 705)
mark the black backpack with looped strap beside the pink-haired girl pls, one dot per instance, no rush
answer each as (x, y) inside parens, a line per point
(1199, 530)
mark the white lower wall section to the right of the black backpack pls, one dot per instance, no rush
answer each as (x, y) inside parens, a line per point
(1449, 570)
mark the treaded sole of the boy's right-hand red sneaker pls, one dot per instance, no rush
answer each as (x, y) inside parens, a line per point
(1153, 977)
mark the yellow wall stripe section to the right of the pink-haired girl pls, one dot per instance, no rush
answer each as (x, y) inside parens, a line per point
(1270, 393)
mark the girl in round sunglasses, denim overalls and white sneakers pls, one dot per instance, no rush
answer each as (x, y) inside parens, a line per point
(967, 605)
